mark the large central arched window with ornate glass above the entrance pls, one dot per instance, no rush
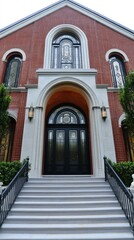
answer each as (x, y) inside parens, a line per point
(66, 51)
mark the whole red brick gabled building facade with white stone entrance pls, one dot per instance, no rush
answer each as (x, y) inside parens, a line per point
(65, 63)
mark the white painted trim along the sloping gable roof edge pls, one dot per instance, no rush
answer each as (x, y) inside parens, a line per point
(58, 5)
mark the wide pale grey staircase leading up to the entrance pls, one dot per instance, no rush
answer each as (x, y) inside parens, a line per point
(64, 208)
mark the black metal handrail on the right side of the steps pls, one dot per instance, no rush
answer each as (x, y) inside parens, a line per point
(123, 194)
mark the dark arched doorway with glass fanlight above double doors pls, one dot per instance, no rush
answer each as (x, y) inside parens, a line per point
(66, 142)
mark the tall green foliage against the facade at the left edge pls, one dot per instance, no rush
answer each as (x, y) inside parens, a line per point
(5, 100)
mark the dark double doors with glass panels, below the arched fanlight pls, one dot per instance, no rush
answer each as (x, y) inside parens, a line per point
(67, 151)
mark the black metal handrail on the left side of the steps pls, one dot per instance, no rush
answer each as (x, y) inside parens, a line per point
(8, 196)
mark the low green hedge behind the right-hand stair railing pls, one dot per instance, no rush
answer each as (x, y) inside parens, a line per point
(125, 171)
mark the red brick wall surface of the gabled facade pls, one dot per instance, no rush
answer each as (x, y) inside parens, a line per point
(31, 39)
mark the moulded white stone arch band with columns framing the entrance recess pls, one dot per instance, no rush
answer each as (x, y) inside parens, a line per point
(41, 105)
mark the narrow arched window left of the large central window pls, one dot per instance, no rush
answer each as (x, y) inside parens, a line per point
(12, 71)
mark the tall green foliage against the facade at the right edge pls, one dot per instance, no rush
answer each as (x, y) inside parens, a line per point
(126, 96)
